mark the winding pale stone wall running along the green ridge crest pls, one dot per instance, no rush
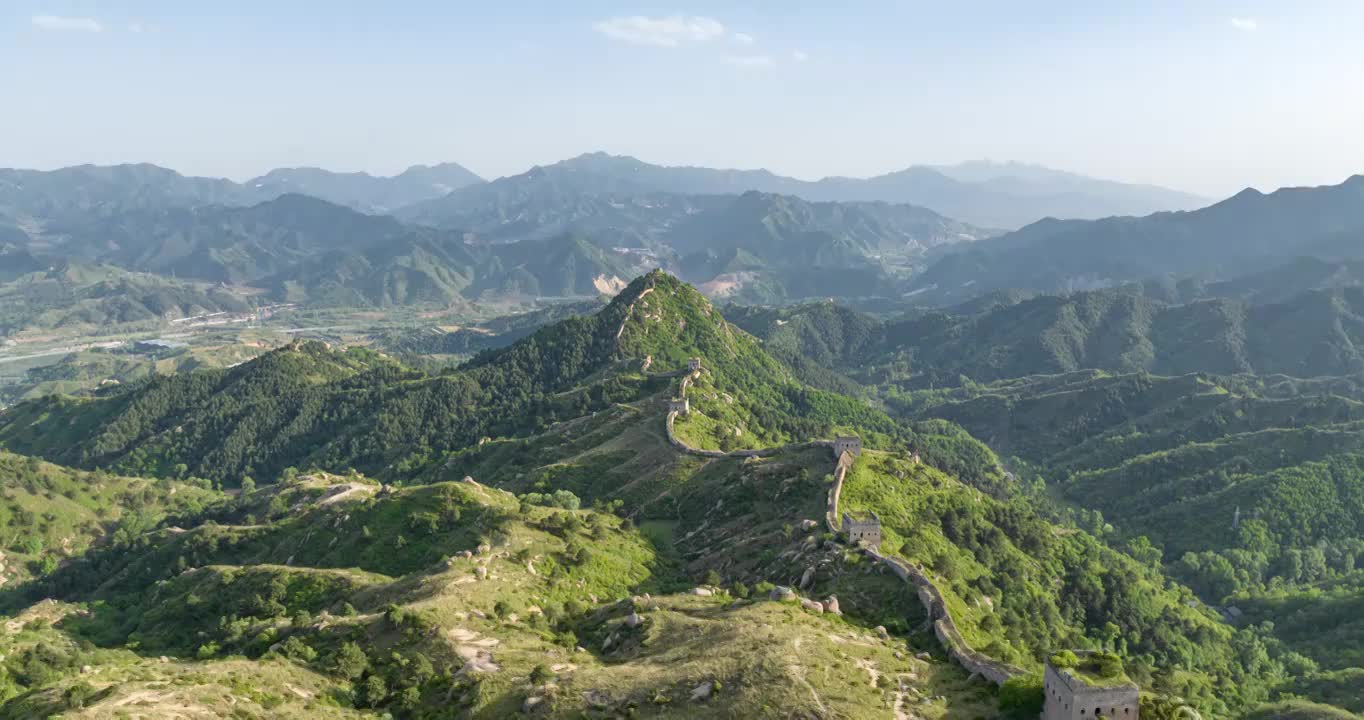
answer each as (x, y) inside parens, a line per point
(930, 597)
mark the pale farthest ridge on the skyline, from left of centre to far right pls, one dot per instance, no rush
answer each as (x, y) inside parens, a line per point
(996, 202)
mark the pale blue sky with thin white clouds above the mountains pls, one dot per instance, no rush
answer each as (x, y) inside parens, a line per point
(1206, 96)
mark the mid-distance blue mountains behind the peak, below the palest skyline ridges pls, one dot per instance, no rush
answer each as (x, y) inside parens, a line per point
(306, 250)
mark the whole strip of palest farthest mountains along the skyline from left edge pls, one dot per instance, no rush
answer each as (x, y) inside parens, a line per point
(984, 194)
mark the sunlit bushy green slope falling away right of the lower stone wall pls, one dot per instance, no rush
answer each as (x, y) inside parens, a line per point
(1020, 588)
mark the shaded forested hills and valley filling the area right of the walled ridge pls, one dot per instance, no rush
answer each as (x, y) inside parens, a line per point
(1234, 464)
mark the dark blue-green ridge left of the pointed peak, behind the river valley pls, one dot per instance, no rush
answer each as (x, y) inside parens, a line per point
(303, 249)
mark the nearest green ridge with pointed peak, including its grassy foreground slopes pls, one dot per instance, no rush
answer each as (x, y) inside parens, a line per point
(567, 418)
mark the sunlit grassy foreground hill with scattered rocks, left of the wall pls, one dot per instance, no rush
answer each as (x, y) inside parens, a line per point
(770, 659)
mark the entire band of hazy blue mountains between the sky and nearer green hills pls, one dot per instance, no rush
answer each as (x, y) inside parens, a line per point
(739, 234)
